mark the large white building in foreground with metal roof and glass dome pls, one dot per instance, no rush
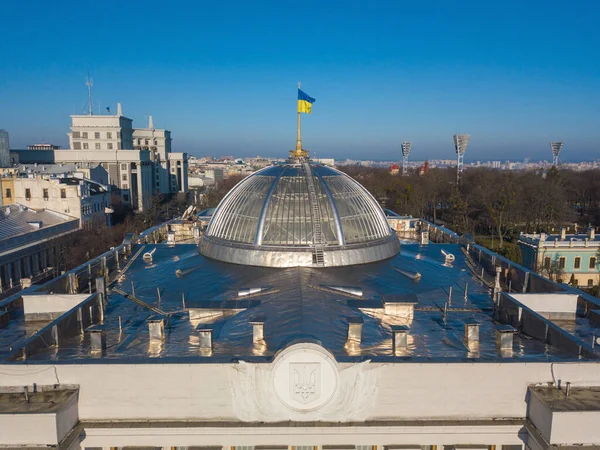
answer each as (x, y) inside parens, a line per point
(425, 346)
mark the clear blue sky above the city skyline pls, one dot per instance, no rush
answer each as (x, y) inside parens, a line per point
(222, 75)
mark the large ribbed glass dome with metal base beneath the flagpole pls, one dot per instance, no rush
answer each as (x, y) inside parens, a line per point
(301, 214)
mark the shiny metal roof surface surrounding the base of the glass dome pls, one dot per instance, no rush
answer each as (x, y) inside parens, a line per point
(179, 306)
